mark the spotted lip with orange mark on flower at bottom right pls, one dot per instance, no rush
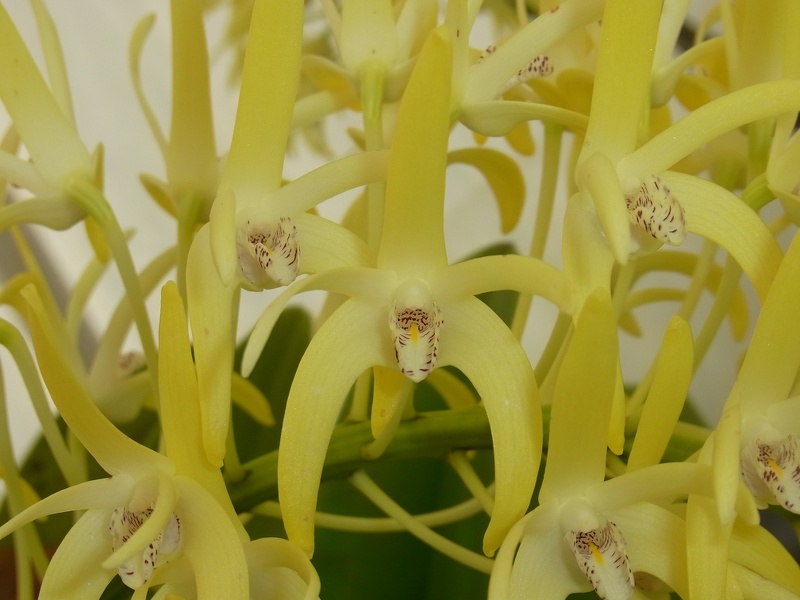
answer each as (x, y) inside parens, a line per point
(600, 553)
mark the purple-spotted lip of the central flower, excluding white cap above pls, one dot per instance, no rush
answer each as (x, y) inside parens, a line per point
(415, 335)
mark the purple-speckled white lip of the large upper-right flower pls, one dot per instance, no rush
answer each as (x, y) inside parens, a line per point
(654, 208)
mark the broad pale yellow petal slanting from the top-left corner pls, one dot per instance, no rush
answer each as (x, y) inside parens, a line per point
(51, 138)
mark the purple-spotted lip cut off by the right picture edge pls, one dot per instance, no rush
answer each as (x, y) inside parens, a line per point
(771, 471)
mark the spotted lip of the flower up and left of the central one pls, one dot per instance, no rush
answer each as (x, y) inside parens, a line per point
(269, 251)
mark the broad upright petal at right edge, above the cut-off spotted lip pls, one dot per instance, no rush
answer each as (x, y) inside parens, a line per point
(772, 361)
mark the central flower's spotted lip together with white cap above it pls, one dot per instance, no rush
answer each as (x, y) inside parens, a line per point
(415, 322)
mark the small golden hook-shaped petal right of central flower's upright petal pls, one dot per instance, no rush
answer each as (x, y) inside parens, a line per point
(504, 177)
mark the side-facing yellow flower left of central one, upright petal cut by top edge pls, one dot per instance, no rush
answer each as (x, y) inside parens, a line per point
(260, 234)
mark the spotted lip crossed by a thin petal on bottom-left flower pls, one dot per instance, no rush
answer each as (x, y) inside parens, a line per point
(139, 569)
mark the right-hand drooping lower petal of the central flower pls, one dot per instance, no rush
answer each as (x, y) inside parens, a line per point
(503, 378)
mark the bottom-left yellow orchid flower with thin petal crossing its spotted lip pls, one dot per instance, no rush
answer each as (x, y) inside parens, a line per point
(154, 507)
